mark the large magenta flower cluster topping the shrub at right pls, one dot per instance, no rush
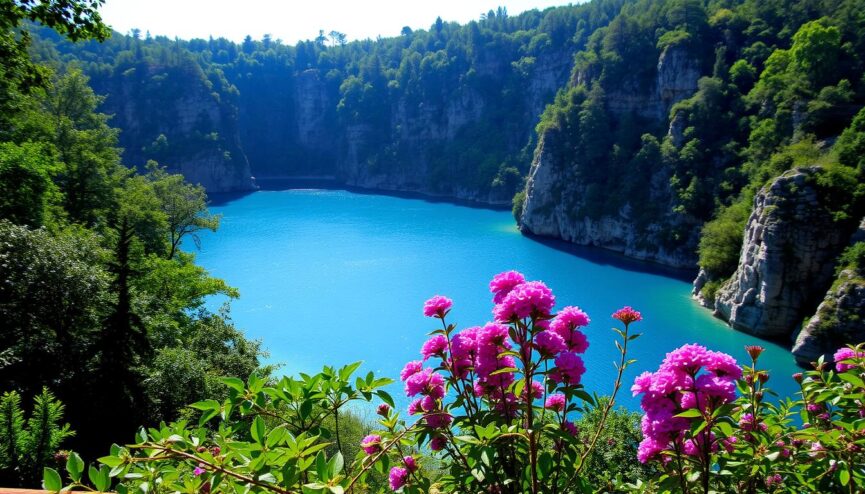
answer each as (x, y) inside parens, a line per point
(689, 377)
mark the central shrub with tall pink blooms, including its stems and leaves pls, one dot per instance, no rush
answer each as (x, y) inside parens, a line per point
(497, 403)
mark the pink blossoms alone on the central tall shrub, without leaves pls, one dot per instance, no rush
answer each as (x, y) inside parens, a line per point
(476, 353)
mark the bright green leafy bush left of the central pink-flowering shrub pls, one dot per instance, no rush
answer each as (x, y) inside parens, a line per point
(272, 436)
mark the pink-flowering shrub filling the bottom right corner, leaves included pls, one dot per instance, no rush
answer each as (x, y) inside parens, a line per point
(706, 440)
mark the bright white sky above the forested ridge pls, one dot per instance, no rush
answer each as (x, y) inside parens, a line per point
(292, 20)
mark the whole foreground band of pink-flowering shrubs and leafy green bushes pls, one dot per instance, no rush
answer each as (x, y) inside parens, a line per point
(495, 408)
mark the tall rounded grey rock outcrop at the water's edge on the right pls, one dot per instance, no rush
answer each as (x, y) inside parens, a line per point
(787, 260)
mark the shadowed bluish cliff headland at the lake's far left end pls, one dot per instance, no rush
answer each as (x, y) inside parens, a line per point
(171, 114)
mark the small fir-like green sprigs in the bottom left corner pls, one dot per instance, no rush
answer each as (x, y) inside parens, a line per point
(27, 446)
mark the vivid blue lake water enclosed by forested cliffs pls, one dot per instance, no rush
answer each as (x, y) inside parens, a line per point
(332, 277)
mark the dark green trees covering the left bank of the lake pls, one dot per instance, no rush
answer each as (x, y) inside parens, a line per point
(94, 282)
